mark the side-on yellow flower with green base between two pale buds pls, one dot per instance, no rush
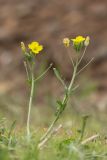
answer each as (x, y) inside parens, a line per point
(78, 43)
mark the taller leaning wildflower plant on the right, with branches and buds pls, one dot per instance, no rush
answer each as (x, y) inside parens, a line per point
(79, 43)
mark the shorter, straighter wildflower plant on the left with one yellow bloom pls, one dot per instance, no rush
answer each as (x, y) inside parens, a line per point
(30, 53)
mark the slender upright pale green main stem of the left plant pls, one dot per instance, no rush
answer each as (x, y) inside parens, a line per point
(30, 103)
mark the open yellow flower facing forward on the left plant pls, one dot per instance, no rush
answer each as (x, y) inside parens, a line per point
(35, 47)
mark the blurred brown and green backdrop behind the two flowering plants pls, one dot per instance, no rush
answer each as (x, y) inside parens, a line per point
(49, 22)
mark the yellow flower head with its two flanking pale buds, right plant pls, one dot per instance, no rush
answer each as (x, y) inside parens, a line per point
(78, 43)
